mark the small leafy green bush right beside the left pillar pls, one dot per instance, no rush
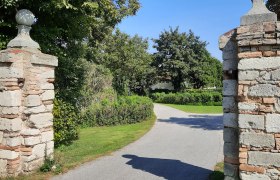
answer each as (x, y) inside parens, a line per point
(65, 123)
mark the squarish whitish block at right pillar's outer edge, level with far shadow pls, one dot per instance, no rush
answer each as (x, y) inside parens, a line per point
(273, 123)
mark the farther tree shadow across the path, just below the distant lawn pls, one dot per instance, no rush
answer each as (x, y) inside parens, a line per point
(205, 122)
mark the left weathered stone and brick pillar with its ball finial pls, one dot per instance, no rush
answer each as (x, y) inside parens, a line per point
(26, 102)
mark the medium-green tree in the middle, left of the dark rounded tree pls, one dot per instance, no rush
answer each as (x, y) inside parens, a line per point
(129, 62)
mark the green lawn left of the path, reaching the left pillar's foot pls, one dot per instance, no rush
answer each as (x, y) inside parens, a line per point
(93, 143)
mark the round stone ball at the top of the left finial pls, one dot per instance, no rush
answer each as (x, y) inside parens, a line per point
(25, 17)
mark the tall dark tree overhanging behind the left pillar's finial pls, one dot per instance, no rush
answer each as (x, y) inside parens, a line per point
(66, 28)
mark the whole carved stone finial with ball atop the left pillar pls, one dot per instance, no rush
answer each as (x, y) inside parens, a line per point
(25, 19)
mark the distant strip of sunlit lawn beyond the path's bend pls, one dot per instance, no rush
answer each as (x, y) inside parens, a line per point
(198, 109)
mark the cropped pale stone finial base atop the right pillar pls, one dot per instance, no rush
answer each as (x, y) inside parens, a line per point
(258, 13)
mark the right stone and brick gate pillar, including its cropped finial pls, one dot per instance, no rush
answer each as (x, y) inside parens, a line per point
(252, 96)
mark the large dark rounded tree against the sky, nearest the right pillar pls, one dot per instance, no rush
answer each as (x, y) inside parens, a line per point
(183, 59)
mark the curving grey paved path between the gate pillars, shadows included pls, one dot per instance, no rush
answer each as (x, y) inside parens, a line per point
(181, 146)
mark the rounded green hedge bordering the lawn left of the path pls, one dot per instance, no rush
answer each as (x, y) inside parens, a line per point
(124, 110)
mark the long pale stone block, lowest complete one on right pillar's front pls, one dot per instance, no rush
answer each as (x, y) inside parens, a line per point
(264, 158)
